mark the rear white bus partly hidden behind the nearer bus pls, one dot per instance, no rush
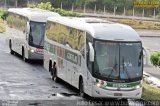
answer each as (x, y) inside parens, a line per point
(26, 27)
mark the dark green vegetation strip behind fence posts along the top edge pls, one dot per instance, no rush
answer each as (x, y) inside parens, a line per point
(90, 5)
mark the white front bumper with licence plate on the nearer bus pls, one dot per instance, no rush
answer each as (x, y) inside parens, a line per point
(104, 93)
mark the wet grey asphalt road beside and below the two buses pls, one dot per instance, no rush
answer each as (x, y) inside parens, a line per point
(28, 84)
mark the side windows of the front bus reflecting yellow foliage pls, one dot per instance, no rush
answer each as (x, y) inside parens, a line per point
(65, 35)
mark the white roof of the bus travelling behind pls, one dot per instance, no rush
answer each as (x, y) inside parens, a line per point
(33, 14)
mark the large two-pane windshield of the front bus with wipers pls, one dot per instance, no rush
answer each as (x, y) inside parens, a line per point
(118, 61)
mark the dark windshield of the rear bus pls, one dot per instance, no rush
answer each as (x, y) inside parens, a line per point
(36, 36)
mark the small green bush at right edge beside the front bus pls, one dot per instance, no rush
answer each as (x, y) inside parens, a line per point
(155, 59)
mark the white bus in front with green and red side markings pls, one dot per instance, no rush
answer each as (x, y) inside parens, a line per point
(100, 58)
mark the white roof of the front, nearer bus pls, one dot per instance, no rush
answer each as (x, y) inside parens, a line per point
(100, 29)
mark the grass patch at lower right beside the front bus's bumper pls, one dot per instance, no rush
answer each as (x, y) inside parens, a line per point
(150, 92)
